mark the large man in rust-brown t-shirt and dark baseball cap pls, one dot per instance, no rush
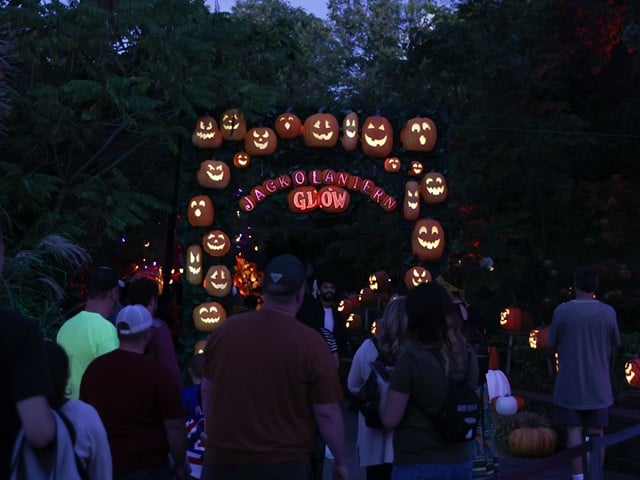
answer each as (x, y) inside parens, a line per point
(289, 384)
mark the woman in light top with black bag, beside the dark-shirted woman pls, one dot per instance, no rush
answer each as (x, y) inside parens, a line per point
(375, 444)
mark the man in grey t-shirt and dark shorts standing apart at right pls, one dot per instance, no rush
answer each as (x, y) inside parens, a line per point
(584, 333)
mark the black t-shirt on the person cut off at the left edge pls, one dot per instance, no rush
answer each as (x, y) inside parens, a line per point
(23, 374)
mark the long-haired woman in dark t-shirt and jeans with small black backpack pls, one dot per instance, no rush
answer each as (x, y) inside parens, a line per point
(430, 401)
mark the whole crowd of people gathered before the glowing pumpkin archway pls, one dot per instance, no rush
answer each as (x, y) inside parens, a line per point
(265, 397)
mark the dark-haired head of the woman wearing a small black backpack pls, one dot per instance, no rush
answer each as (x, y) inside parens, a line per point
(427, 306)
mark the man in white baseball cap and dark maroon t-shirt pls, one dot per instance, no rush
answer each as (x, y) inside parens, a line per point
(139, 402)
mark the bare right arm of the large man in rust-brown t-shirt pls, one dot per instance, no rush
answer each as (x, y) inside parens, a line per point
(329, 419)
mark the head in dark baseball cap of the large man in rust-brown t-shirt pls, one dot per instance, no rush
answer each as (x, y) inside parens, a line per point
(284, 278)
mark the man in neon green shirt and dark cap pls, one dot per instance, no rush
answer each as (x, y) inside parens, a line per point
(89, 334)
